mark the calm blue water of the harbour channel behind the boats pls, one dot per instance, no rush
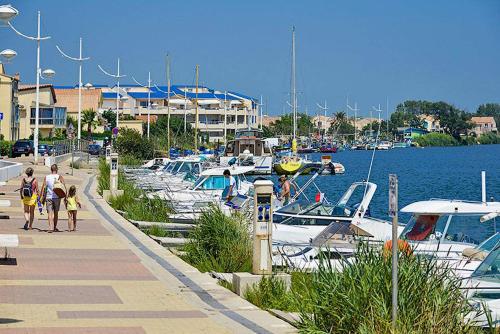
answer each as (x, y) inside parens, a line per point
(423, 173)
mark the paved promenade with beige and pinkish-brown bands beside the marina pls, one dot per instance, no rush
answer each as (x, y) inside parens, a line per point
(108, 277)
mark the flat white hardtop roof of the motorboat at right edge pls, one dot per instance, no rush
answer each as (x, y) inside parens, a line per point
(451, 207)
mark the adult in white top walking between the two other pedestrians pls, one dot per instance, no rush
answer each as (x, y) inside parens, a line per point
(54, 189)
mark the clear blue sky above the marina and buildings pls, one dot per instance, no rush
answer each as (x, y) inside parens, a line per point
(368, 50)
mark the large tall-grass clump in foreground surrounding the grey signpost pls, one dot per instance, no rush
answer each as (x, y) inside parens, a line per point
(357, 297)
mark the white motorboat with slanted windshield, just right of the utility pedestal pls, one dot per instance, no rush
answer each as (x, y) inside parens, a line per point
(303, 229)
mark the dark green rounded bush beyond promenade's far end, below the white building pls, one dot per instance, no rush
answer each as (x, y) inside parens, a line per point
(130, 142)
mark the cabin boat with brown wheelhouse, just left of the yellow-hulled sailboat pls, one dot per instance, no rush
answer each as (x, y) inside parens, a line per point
(250, 149)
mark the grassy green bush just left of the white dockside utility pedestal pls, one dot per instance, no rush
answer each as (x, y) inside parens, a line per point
(220, 243)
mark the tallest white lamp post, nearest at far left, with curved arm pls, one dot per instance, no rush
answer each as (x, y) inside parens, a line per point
(7, 13)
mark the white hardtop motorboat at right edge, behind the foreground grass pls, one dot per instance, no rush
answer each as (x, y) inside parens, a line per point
(446, 228)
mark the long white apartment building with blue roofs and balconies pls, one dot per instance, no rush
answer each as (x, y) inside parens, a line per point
(213, 106)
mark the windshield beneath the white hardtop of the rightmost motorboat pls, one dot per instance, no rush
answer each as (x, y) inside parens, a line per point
(456, 228)
